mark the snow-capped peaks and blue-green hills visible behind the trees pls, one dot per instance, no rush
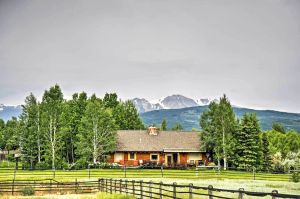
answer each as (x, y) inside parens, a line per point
(186, 111)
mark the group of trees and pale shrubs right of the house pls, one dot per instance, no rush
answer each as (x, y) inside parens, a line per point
(242, 144)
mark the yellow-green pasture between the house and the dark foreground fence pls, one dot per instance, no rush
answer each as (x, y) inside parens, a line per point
(264, 182)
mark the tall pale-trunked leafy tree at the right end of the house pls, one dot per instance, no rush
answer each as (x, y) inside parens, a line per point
(219, 124)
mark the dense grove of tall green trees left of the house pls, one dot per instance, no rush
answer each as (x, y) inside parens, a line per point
(58, 133)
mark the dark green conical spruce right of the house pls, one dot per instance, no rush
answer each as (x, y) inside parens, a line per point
(249, 147)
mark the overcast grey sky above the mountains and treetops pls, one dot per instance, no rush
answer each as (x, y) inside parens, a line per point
(249, 50)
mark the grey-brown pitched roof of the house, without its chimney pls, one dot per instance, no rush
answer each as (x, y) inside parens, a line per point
(165, 141)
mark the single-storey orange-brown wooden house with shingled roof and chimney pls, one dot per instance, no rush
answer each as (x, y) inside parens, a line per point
(169, 148)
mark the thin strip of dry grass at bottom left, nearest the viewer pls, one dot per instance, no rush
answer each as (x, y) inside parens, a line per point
(74, 196)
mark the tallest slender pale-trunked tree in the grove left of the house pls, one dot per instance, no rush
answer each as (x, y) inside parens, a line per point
(52, 110)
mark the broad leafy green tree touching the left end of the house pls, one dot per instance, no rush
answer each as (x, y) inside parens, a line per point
(97, 132)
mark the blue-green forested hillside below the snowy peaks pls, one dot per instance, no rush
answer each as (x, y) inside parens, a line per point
(189, 117)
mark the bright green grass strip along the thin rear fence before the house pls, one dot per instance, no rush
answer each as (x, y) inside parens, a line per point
(138, 173)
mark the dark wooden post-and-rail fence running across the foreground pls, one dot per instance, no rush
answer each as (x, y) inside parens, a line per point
(137, 188)
